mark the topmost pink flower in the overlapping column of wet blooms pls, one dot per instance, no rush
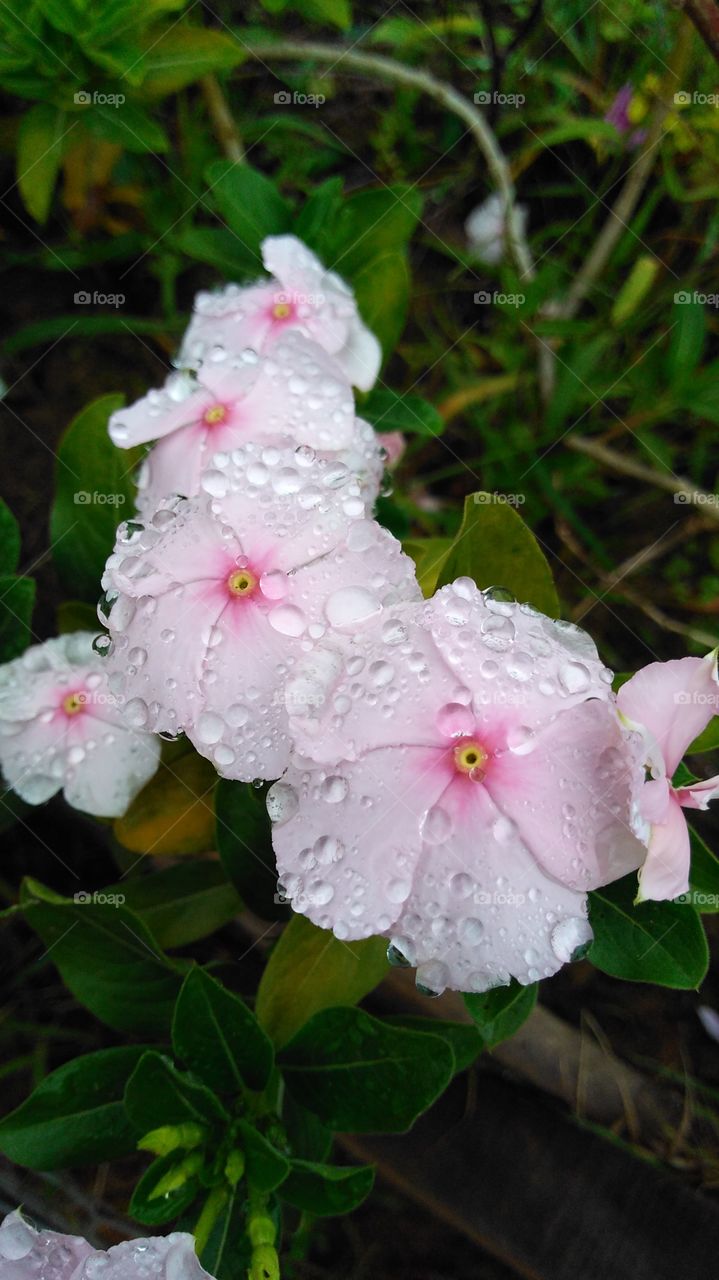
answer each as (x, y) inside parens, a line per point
(301, 295)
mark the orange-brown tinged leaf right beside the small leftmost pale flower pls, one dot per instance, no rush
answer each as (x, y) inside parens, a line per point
(175, 813)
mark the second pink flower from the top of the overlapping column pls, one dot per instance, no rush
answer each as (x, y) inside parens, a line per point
(296, 390)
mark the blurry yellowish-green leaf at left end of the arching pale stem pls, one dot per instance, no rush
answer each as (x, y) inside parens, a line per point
(184, 54)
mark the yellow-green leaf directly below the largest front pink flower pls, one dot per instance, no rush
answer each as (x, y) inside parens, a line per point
(309, 971)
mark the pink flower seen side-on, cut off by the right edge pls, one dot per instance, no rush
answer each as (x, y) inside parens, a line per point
(672, 702)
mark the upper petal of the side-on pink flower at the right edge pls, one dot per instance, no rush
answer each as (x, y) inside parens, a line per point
(675, 701)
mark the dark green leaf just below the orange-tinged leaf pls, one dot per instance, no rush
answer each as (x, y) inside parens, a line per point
(182, 904)
